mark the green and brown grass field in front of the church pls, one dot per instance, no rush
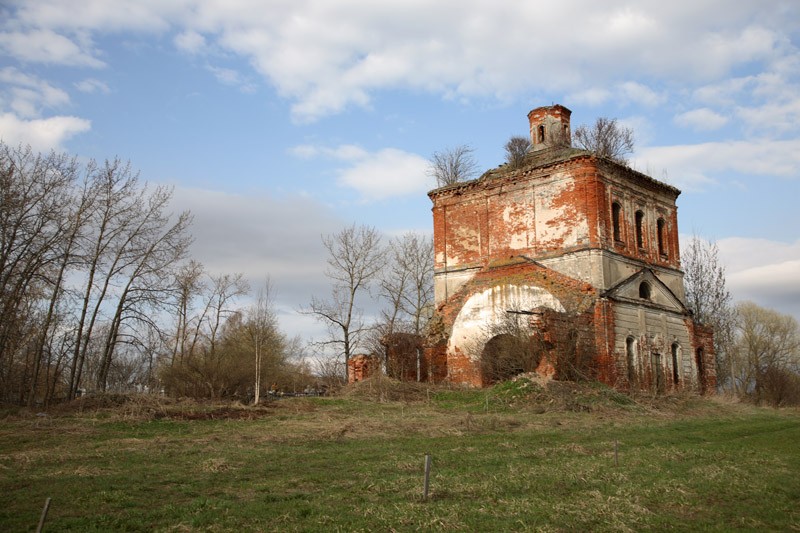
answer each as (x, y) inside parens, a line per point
(518, 457)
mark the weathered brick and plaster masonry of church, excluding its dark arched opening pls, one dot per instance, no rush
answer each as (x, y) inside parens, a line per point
(549, 227)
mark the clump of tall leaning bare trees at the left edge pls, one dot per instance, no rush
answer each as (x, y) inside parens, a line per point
(73, 255)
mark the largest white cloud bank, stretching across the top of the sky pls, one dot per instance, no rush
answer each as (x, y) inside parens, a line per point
(328, 56)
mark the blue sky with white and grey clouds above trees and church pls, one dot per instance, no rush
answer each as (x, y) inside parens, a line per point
(278, 121)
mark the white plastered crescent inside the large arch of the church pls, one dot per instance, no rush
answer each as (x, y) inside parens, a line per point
(485, 310)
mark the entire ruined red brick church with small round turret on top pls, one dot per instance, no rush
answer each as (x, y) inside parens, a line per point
(579, 252)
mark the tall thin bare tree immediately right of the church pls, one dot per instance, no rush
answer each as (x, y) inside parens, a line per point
(708, 298)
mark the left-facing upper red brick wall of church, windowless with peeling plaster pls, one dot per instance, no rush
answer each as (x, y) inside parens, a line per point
(493, 218)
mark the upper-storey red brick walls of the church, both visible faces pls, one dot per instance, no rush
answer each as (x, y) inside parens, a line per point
(476, 222)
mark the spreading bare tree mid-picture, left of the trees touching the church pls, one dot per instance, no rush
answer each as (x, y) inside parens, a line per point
(354, 261)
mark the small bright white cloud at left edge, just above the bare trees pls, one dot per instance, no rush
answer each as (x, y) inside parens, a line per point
(41, 134)
